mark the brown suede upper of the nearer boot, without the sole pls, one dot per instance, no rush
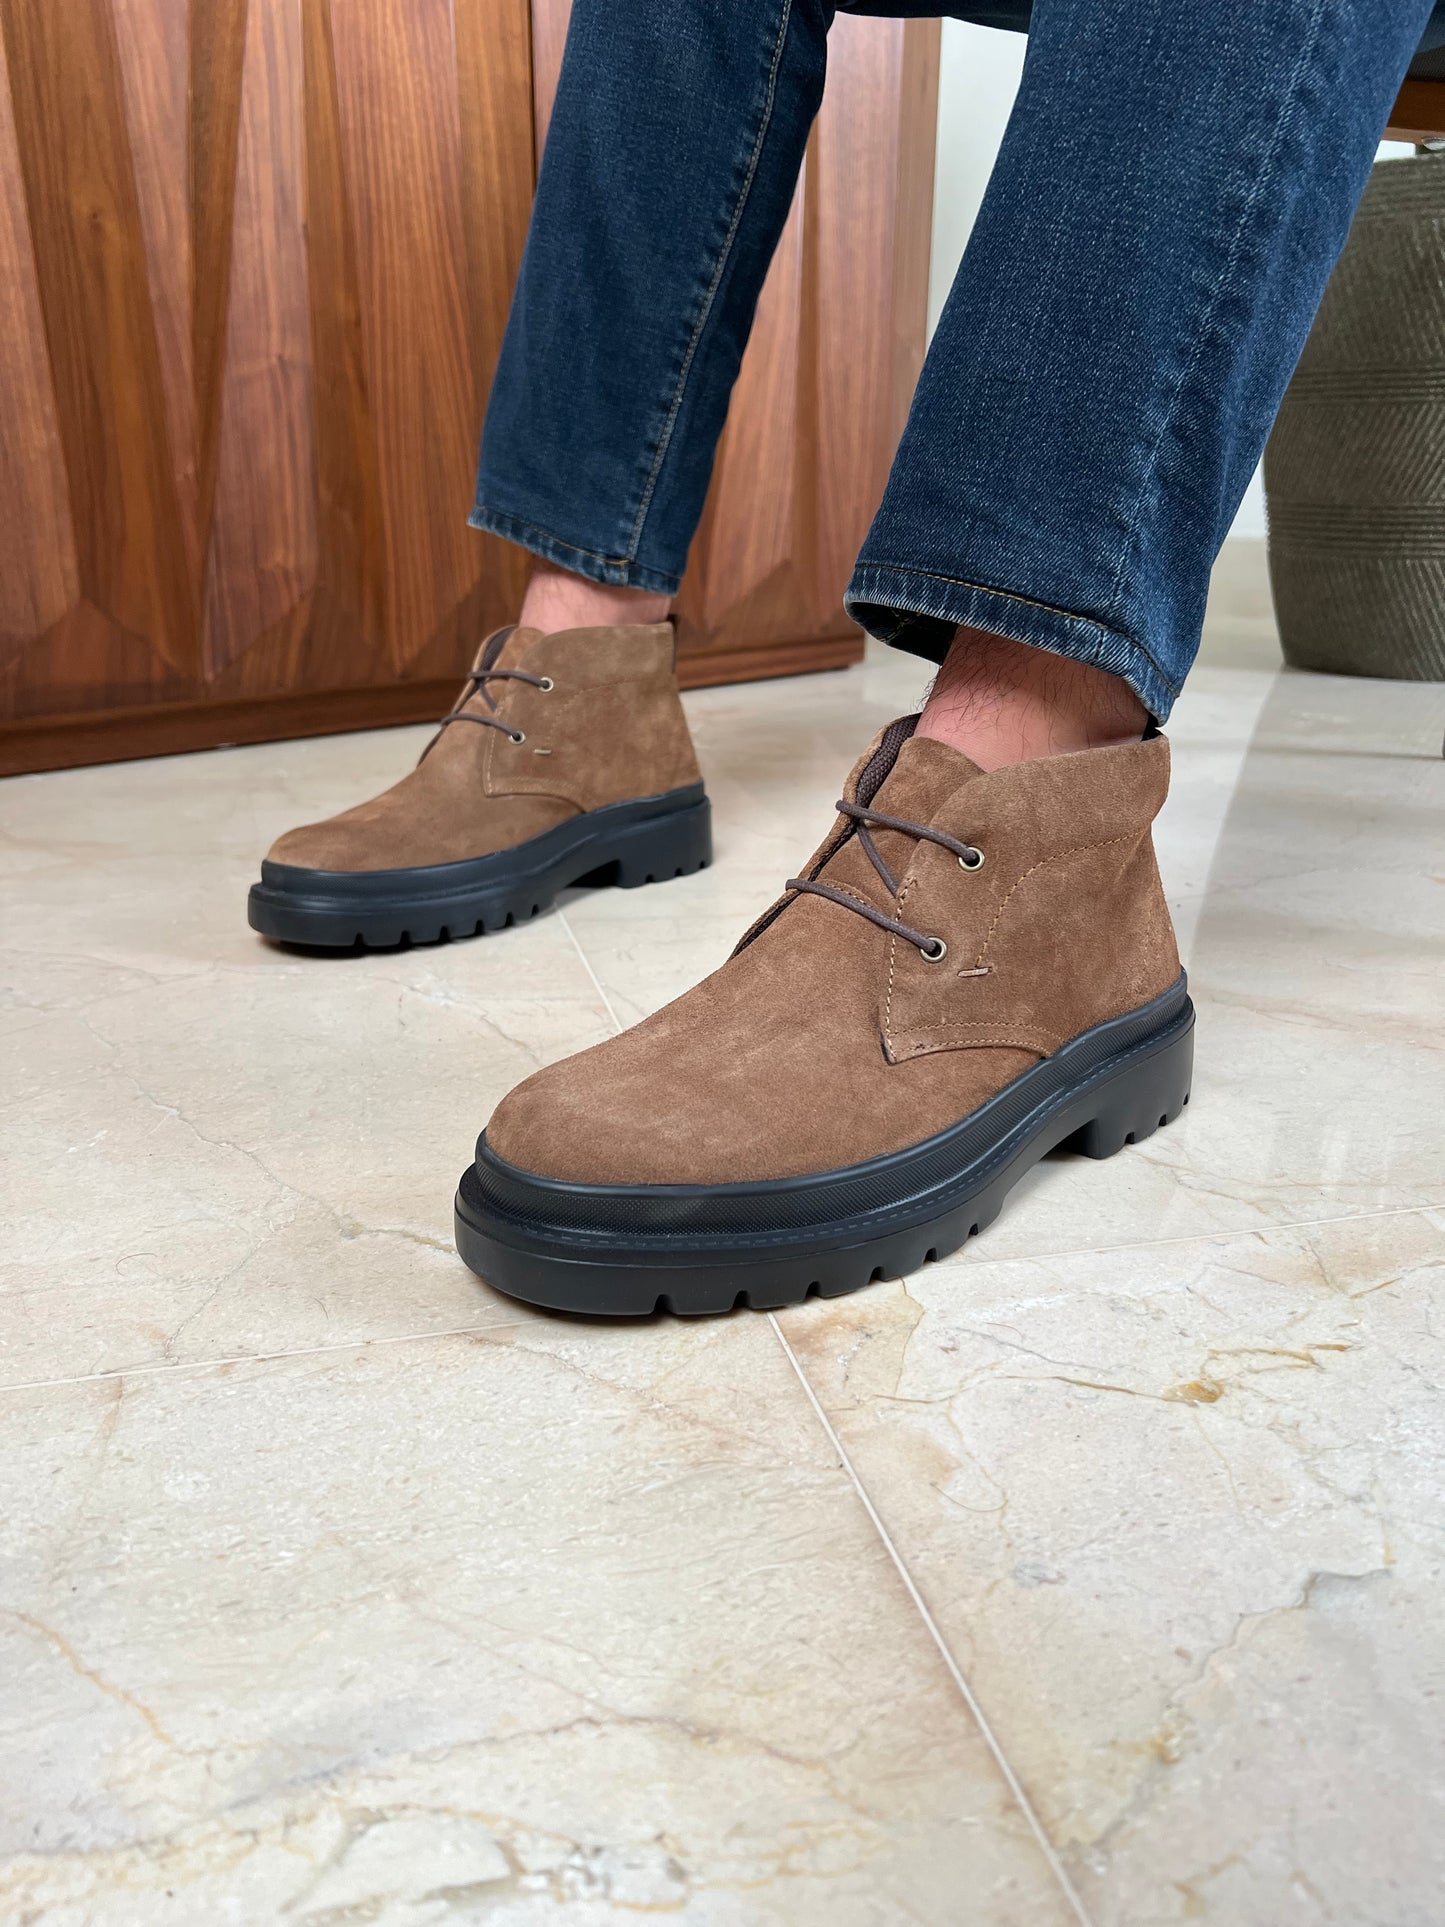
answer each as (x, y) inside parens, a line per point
(826, 1040)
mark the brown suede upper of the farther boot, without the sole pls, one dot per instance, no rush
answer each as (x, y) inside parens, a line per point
(610, 729)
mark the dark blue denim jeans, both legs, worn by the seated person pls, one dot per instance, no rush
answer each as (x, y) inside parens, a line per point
(1170, 198)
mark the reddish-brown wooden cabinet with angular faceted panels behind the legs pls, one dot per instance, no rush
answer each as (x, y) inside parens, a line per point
(255, 263)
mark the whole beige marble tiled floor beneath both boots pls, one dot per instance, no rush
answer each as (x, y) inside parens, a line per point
(1095, 1575)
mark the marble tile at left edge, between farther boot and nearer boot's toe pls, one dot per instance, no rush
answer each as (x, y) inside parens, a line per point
(213, 1148)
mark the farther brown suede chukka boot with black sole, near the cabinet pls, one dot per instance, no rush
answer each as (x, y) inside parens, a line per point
(567, 758)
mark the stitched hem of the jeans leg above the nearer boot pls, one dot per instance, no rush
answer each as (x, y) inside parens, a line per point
(918, 612)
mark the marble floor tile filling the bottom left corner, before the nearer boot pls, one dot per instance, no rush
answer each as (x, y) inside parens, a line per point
(560, 1623)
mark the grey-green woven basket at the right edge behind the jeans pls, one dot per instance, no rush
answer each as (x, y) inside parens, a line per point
(1355, 467)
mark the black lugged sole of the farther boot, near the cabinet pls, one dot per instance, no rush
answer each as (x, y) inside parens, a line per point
(650, 839)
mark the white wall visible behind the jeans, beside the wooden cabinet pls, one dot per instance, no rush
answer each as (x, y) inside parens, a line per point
(978, 80)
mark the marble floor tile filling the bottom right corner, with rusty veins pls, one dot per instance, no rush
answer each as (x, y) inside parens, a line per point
(1180, 1516)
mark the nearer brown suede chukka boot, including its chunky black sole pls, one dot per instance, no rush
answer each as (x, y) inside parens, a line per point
(972, 970)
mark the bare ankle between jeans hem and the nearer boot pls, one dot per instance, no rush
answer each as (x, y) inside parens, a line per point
(1007, 702)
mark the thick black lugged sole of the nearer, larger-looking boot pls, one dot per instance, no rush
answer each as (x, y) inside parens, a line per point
(627, 1252)
